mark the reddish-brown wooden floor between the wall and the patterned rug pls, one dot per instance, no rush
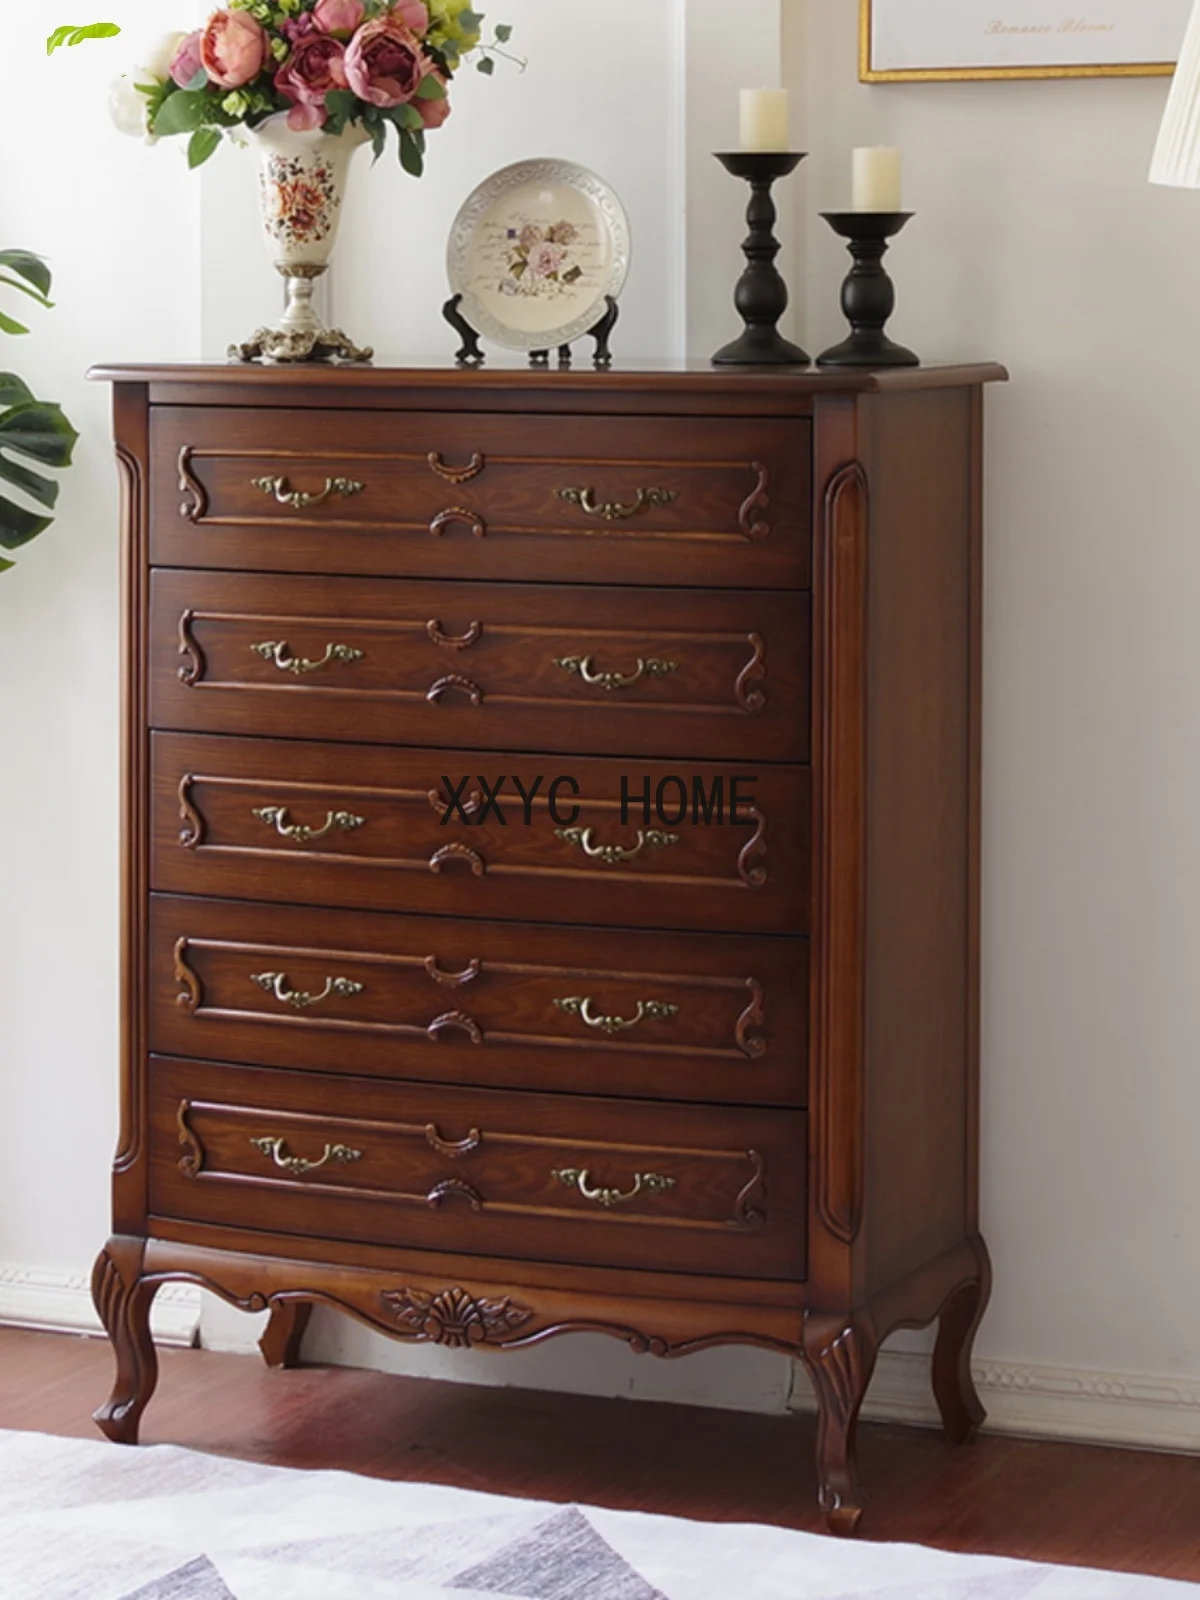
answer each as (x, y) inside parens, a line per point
(1079, 1505)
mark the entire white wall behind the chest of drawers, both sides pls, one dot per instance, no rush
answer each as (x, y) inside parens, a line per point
(1038, 242)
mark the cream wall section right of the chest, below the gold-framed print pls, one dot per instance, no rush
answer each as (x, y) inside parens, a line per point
(1039, 242)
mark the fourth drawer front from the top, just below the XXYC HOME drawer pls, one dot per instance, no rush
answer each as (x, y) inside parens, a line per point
(690, 1017)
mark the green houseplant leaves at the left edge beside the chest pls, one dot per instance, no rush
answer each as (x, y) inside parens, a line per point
(31, 431)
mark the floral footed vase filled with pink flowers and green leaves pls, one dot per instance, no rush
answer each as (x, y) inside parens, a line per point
(310, 81)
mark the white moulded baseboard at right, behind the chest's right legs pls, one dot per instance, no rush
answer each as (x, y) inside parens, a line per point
(1042, 1402)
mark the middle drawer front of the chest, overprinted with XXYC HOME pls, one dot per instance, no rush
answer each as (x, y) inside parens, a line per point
(372, 828)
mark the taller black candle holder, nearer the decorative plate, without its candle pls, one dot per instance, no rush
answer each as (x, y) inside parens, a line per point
(761, 295)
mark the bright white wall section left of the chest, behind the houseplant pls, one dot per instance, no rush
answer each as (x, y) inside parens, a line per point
(121, 228)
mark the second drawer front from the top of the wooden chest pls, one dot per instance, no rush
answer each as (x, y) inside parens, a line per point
(482, 665)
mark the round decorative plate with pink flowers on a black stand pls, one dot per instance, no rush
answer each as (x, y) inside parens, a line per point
(534, 254)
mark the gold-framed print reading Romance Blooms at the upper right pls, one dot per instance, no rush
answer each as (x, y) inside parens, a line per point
(926, 41)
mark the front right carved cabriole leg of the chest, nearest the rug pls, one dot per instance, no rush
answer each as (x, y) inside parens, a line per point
(841, 1358)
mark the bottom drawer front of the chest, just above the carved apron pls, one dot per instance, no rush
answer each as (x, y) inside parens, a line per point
(542, 1177)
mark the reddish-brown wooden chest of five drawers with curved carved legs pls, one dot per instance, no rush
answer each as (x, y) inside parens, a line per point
(551, 863)
